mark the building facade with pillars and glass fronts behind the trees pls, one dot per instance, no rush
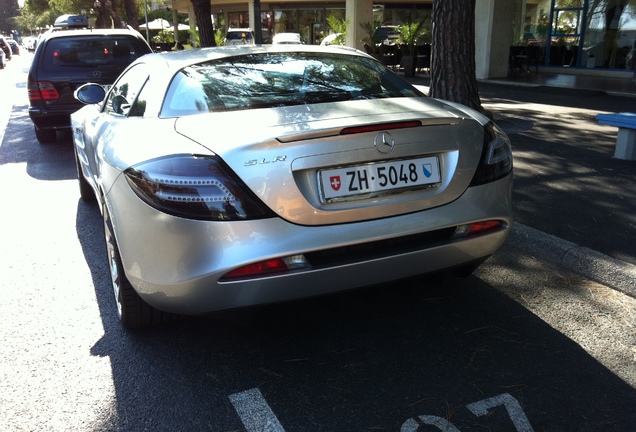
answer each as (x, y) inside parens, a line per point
(567, 36)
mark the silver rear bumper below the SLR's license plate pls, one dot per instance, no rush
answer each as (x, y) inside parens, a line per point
(176, 265)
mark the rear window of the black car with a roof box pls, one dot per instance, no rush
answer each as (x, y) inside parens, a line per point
(92, 51)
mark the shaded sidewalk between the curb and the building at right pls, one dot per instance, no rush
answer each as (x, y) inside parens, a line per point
(574, 203)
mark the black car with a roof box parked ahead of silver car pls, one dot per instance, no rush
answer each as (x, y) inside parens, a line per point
(69, 56)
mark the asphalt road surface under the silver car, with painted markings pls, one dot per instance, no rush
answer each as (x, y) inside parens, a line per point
(521, 345)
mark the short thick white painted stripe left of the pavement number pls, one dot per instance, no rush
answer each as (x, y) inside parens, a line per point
(254, 412)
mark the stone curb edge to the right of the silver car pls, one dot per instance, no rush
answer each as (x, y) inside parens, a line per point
(585, 262)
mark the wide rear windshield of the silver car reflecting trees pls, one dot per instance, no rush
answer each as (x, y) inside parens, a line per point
(280, 79)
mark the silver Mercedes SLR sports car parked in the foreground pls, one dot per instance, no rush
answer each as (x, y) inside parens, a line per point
(239, 176)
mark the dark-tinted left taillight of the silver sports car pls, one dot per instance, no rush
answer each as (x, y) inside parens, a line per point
(195, 187)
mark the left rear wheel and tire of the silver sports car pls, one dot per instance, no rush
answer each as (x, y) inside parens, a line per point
(133, 312)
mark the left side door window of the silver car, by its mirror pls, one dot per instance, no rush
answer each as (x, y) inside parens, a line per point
(122, 98)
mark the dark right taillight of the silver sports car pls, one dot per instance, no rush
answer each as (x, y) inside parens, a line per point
(496, 156)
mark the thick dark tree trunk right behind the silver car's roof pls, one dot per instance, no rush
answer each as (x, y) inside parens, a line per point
(453, 74)
